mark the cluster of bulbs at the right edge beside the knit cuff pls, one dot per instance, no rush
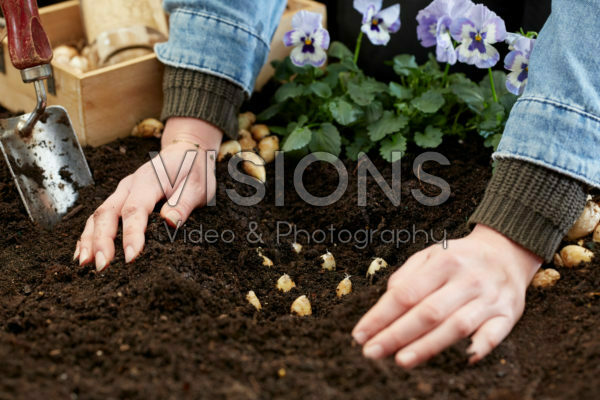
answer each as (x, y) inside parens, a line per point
(574, 255)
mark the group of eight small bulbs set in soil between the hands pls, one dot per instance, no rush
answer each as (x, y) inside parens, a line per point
(301, 306)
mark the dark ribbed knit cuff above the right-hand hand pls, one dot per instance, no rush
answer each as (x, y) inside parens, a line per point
(532, 205)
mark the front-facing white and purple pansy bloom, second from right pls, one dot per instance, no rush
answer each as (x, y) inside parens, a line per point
(476, 33)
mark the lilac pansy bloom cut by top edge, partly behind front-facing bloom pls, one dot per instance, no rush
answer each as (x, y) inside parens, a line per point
(434, 26)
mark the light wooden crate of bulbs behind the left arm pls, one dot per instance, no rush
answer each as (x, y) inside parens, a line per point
(104, 104)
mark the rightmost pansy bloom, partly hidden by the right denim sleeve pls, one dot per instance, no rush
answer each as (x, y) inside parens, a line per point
(517, 62)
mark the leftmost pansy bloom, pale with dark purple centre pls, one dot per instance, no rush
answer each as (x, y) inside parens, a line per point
(310, 39)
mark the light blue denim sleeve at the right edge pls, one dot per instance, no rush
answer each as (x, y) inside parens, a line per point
(556, 123)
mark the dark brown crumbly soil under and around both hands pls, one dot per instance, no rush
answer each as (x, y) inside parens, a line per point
(175, 324)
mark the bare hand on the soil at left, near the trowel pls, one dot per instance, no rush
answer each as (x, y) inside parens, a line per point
(137, 194)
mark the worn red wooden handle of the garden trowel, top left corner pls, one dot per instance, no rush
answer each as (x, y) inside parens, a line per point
(28, 44)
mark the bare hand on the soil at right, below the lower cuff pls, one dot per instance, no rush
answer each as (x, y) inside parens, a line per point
(474, 287)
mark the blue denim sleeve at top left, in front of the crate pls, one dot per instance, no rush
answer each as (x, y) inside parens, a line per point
(226, 38)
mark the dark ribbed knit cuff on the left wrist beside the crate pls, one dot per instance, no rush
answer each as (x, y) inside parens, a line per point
(195, 94)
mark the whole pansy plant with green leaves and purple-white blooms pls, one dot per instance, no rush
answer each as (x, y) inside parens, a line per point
(339, 109)
